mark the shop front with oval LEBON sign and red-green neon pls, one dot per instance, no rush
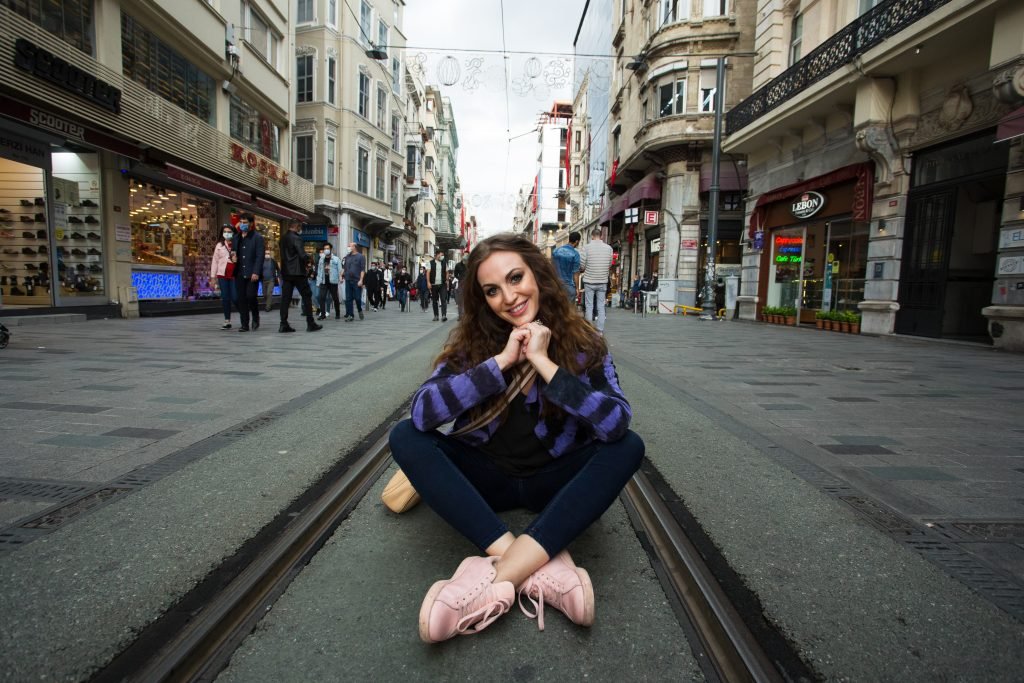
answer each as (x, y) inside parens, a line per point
(814, 239)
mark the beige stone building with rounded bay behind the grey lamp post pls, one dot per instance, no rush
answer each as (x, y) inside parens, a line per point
(663, 102)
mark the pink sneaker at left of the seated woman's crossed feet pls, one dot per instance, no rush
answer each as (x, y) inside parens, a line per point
(466, 604)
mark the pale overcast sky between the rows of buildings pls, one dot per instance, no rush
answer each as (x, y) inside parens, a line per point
(443, 38)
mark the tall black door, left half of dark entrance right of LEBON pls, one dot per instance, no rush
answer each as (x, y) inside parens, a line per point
(926, 262)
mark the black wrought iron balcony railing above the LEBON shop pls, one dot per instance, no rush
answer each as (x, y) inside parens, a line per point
(875, 26)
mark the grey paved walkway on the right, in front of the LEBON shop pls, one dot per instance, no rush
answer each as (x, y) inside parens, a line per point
(918, 436)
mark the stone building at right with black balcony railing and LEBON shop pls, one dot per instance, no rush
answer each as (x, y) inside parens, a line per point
(886, 175)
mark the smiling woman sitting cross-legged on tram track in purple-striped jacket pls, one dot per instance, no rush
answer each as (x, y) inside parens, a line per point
(561, 447)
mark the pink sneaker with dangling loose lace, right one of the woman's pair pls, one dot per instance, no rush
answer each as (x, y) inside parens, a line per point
(564, 586)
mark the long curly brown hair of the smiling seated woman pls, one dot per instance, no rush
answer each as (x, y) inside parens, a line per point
(482, 334)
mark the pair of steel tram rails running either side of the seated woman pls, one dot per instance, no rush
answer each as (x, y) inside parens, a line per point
(203, 647)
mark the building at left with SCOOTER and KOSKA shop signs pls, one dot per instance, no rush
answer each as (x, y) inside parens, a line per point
(130, 134)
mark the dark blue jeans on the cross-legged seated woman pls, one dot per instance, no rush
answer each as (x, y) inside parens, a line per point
(462, 486)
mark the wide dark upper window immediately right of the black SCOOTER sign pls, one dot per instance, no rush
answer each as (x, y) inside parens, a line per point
(164, 71)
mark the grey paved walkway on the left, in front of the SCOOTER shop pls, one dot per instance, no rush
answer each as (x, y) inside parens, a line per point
(94, 402)
